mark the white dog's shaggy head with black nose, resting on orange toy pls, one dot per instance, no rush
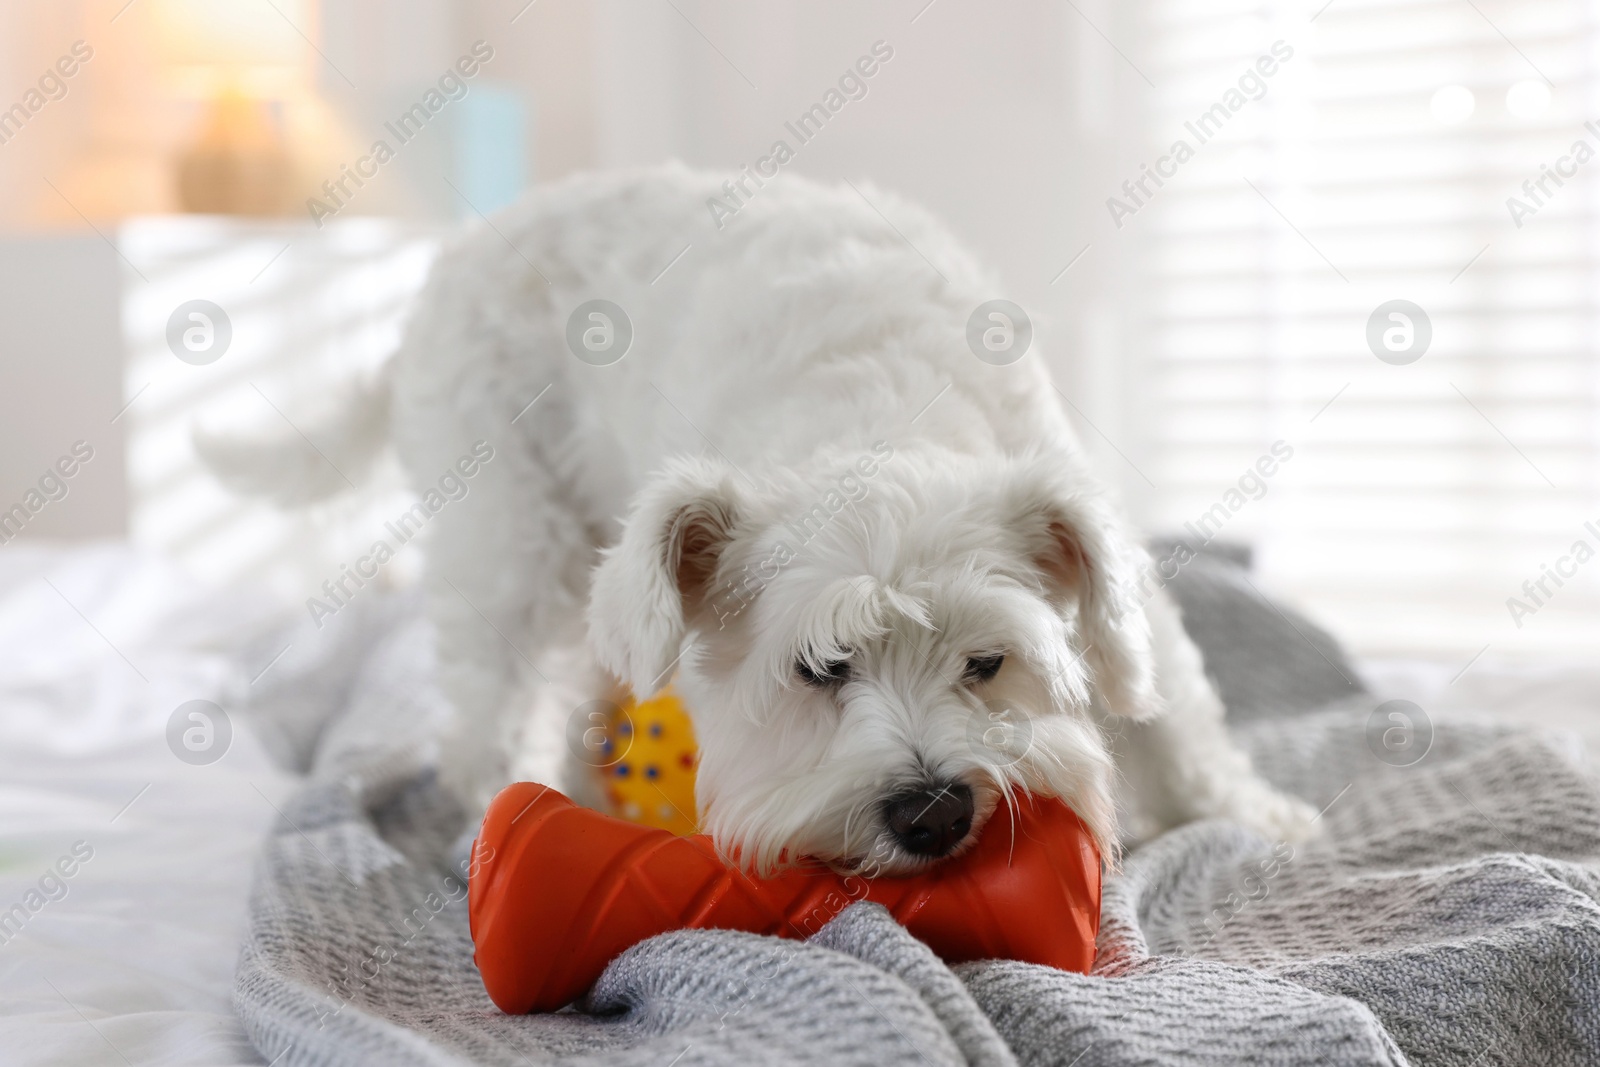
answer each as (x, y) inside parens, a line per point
(882, 655)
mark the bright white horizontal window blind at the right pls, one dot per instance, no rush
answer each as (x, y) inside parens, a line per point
(1423, 497)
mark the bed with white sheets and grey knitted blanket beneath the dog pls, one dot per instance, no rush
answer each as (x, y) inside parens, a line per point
(185, 933)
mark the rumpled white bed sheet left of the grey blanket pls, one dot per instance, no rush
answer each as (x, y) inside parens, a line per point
(137, 962)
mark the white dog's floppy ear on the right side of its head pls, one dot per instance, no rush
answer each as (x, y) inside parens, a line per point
(1084, 554)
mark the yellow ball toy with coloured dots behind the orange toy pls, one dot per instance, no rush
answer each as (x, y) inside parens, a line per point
(650, 764)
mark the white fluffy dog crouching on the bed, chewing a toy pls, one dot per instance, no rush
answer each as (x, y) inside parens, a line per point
(876, 565)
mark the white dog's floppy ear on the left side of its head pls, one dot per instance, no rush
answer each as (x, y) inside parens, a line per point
(660, 572)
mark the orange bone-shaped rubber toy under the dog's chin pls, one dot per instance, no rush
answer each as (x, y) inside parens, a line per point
(558, 892)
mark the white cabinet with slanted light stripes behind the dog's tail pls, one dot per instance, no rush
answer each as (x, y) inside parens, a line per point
(310, 310)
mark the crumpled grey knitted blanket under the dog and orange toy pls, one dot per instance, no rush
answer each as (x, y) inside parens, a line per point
(1446, 916)
